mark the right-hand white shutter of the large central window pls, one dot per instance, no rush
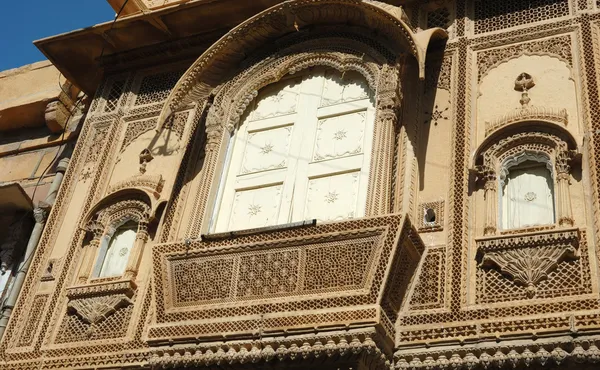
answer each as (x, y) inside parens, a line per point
(337, 172)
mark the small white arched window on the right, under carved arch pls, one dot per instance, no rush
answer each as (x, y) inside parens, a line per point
(527, 192)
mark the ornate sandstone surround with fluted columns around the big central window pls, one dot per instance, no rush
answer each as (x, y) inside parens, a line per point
(225, 111)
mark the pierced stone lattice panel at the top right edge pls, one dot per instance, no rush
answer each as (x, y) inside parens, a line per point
(496, 15)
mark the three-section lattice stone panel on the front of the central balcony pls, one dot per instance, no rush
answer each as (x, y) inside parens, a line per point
(329, 266)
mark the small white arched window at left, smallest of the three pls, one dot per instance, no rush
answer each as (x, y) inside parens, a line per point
(114, 254)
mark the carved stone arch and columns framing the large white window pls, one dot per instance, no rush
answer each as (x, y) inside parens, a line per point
(381, 72)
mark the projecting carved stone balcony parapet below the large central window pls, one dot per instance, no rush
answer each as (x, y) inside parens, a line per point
(331, 268)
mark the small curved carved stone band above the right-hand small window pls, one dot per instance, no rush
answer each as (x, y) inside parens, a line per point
(529, 113)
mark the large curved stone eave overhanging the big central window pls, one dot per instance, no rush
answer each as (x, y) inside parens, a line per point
(212, 66)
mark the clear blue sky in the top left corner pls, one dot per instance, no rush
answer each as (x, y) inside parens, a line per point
(22, 22)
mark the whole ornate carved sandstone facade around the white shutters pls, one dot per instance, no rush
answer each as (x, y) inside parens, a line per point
(467, 97)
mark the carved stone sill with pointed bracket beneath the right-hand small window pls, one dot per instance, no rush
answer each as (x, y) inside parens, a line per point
(529, 258)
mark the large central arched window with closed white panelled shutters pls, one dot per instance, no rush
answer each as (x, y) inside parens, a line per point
(303, 151)
